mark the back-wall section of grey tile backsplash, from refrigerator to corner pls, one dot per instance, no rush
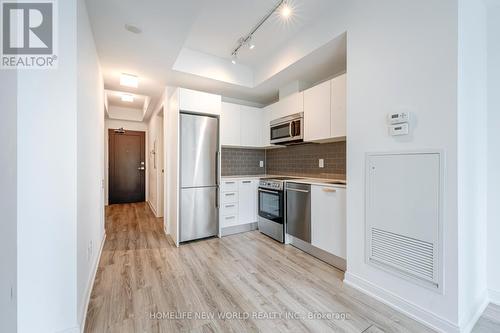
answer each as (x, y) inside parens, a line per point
(239, 161)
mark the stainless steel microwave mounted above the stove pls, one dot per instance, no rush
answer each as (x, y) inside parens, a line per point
(288, 130)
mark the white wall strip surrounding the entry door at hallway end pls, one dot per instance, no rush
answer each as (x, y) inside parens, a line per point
(127, 125)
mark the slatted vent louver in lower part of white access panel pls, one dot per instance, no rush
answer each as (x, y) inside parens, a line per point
(410, 255)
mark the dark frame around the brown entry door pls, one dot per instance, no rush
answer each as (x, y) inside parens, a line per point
(143, 136)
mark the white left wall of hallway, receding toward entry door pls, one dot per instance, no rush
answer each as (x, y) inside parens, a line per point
(90, 159)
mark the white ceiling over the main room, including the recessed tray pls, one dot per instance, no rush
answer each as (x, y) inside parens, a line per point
(211, 28)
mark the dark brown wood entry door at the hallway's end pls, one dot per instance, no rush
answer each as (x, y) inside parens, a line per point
(127, 168)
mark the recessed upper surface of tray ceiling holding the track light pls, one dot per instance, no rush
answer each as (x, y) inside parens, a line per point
(222, 22)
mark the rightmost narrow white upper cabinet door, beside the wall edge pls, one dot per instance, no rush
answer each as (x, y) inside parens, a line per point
(339, 107)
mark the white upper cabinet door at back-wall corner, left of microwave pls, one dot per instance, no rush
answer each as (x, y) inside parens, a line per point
(251, 126)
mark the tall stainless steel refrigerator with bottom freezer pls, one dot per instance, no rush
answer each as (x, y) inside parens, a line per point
(199, 169)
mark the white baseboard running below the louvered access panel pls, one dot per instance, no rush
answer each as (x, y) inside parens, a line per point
(401, 305)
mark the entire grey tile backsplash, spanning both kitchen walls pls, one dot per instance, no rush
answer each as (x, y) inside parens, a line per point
(300, 160)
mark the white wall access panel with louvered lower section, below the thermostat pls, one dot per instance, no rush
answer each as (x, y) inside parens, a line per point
(403, 214)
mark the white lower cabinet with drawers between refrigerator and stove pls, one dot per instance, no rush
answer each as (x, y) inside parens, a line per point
(238, 202)
